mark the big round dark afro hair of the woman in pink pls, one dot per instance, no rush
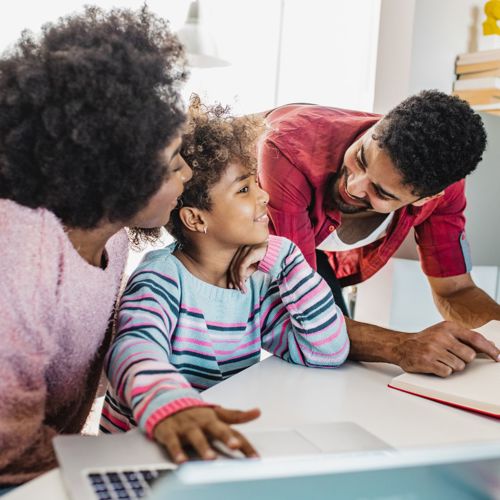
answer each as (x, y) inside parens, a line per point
(85, 110)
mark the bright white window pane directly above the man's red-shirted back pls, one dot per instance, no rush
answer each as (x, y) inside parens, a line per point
(329, 52)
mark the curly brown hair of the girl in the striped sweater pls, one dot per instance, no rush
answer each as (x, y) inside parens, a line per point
(212, 141)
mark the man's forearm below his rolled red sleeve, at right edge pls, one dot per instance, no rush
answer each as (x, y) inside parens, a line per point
(469, 307)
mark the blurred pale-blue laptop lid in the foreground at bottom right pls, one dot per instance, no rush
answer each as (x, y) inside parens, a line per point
(465, 472)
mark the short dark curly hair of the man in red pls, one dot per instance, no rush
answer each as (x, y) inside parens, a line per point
(434, 140)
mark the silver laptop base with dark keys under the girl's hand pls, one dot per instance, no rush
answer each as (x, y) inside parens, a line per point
(126, 466)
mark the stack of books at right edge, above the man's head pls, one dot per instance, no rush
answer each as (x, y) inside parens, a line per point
(478, 79)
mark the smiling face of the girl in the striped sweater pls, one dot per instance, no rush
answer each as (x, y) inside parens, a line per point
(239, 209)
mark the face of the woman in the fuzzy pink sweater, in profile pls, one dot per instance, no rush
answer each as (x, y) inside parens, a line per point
(157, 212)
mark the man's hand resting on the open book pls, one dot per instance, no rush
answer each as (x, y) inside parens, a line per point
(442, 349)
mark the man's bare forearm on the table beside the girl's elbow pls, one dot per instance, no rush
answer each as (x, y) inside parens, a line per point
(373, 343)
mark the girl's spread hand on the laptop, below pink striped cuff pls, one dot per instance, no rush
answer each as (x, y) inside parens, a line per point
(198, 426)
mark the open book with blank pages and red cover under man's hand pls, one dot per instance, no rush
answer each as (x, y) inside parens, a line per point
(477, 388)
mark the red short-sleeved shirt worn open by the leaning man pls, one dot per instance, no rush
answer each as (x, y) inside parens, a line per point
(305, 146)
